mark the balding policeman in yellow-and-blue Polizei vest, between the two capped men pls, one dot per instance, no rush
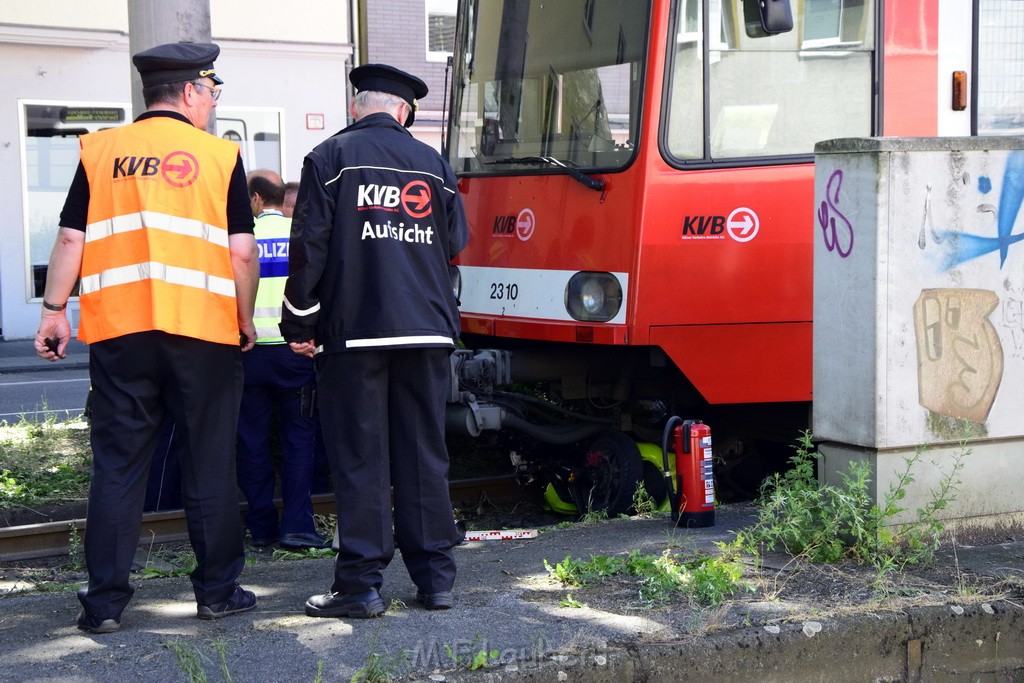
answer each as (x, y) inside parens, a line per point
(276, 380)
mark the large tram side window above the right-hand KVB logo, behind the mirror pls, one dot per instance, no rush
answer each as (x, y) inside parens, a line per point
(769, 96)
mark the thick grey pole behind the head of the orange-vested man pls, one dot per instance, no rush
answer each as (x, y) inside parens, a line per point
(153, 23)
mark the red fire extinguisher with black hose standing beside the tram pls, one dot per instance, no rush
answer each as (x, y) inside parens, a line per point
(693, 494)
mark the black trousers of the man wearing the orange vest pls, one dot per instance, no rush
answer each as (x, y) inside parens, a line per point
(138, 380)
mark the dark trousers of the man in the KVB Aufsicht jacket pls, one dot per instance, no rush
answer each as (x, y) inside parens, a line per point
(383, 418)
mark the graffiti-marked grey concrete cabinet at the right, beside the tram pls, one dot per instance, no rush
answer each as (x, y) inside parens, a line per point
(919, 318)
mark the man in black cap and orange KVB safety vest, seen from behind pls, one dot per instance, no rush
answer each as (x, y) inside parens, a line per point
(157, 226)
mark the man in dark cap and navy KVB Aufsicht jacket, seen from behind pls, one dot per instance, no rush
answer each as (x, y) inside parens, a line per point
(377, 222)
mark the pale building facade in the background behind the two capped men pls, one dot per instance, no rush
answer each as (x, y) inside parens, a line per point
(68, 70)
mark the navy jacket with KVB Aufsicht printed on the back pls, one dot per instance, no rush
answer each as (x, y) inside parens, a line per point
(378, 220)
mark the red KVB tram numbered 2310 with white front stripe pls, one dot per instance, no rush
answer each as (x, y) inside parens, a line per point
(638, 179)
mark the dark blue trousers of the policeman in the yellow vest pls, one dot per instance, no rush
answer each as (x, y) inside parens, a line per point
(275, 381)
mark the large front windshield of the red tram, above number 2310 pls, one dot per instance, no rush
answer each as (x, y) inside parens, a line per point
(547, 84)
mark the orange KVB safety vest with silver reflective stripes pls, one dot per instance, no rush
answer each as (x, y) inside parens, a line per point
(156, 242)
